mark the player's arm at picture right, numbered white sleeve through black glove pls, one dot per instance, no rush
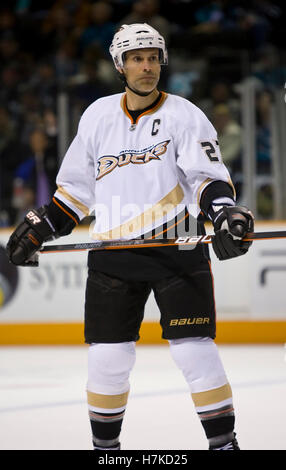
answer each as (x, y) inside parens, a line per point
(200, 159)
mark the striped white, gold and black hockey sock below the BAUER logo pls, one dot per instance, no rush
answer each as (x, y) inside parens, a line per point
(199, 361)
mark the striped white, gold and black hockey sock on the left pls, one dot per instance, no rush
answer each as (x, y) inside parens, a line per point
(109, 366)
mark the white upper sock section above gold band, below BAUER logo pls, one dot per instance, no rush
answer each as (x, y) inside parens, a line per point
(200, 363)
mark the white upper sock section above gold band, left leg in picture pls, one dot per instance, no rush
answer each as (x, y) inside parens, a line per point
(109, 367)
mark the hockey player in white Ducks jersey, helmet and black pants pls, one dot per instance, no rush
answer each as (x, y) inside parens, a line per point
(149, 164)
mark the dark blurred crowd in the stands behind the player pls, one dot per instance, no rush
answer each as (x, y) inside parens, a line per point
(54, 62)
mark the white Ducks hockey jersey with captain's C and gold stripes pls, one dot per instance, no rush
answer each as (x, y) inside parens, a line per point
(137, 176)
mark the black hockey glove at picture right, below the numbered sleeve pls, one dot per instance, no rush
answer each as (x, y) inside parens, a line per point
(231, 223)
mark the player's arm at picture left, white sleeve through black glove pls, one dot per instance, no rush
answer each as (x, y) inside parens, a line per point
(70, 204)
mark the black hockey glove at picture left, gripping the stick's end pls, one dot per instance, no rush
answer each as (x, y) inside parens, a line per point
(28, 237)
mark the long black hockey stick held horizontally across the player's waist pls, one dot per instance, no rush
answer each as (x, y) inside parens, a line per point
(142, 243)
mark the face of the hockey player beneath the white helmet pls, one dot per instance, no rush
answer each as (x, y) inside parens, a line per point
(142, 69)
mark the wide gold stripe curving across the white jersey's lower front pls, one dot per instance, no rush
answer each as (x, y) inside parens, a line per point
(147, 218)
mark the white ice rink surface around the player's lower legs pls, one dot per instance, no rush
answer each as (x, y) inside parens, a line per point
(43, 400)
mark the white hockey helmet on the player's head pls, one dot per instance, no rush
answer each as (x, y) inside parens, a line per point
(136, 36)
